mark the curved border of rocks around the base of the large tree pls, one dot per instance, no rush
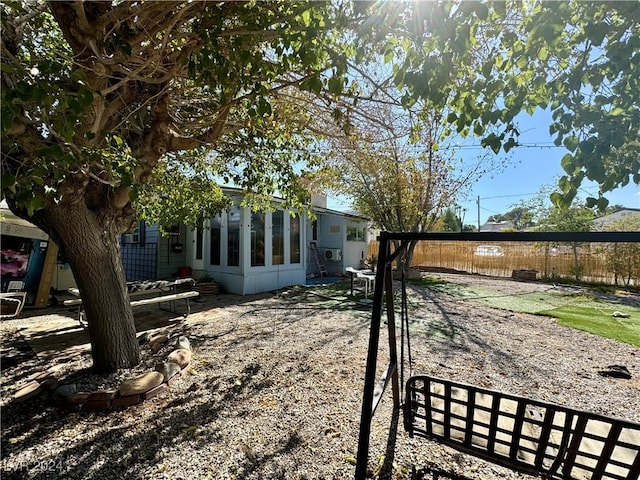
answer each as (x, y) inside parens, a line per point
(131, 391)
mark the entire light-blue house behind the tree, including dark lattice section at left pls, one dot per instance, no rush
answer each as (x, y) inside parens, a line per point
(250, 252)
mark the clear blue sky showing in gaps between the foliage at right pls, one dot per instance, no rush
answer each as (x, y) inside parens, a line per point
(529, 169)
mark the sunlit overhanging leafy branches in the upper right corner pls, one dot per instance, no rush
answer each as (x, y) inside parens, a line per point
(491, 61)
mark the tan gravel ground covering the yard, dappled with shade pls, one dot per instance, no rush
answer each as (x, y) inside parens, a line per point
(275, 388)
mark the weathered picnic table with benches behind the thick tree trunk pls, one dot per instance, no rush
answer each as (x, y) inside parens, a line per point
(165, 291)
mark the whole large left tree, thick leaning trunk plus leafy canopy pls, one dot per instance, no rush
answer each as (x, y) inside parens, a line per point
(112, 109)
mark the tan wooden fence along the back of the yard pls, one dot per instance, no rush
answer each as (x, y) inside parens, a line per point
(588, 262)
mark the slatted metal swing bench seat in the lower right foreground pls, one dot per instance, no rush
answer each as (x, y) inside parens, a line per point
(524, 434)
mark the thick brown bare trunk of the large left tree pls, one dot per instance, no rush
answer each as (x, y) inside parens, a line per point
(92, 250)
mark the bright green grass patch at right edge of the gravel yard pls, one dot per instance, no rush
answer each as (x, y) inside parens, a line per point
(598, 319)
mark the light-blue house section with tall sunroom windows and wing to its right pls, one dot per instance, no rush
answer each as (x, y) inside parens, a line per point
(250, 252)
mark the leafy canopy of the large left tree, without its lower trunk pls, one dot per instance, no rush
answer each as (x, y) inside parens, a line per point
(114, 90)
